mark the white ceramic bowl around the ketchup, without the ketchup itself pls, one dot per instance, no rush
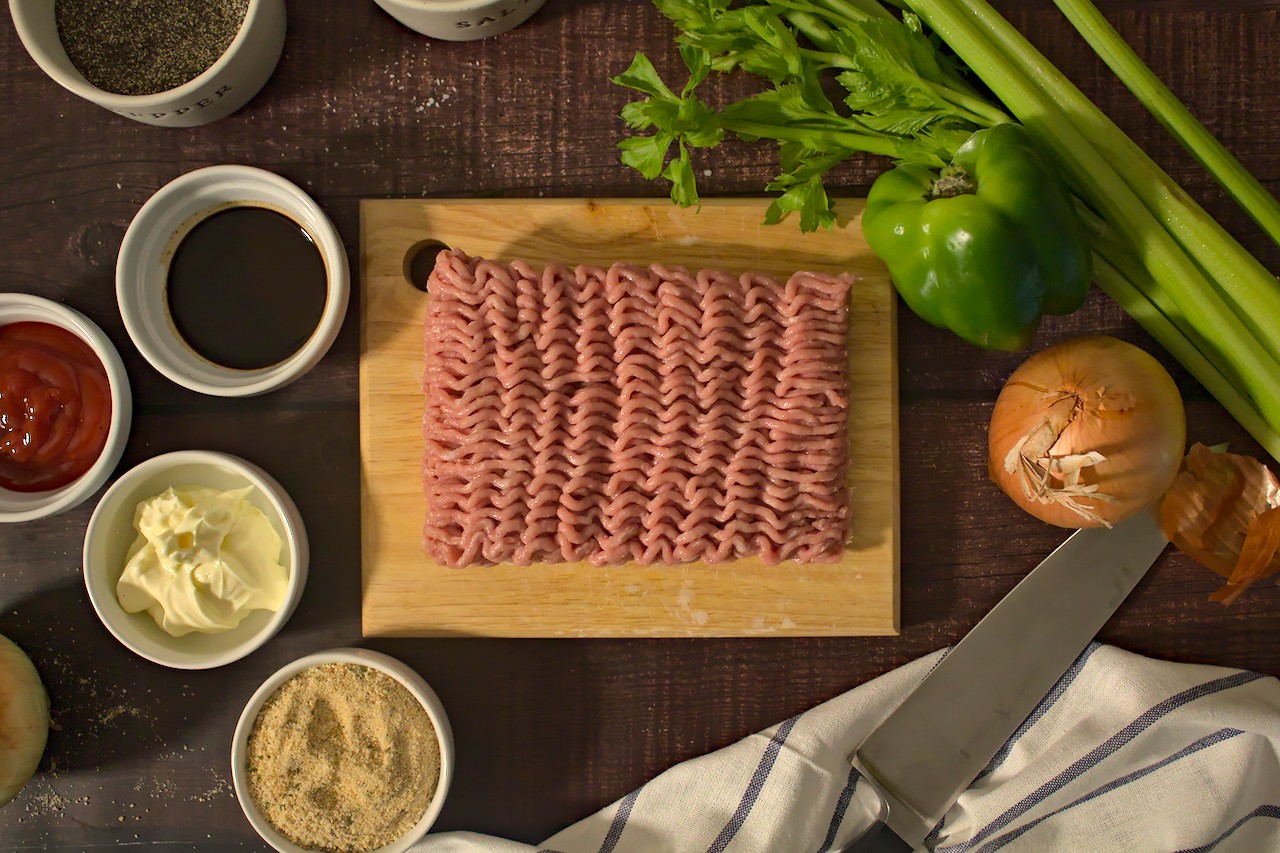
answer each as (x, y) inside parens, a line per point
(25, 507)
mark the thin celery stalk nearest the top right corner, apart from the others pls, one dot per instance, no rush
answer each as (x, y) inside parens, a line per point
(1252, 197)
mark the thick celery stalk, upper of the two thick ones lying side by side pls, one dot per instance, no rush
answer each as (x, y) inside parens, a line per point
(1250, 290)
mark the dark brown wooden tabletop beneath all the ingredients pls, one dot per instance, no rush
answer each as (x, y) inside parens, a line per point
(547, 731)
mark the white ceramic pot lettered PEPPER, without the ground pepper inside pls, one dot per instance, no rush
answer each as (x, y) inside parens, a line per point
(218, 92)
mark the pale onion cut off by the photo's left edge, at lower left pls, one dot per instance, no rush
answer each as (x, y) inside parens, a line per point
(24, 720)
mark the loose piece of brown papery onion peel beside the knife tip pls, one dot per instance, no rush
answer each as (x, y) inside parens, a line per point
(1224, 513)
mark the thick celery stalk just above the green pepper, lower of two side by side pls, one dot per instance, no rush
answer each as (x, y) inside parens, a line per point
(1008, 67)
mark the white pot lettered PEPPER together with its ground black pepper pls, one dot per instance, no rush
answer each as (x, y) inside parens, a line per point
(171, 63)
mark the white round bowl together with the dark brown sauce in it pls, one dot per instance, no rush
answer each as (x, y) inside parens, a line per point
(232, 281)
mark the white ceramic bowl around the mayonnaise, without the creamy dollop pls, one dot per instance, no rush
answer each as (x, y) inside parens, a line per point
(111, 533)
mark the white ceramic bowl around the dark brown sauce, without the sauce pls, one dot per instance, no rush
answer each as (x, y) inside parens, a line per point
(143, 271)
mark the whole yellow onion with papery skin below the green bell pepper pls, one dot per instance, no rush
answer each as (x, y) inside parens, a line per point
(1087, 434)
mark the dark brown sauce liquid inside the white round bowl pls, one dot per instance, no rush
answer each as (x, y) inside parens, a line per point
(246, 288)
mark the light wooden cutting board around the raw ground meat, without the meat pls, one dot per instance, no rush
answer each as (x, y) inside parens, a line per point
(409, 595)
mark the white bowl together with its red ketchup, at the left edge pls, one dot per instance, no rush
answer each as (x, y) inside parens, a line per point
(65, 408)
